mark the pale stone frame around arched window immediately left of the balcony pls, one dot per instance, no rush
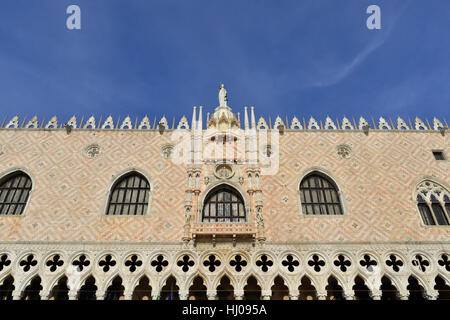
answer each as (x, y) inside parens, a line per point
(111, 184)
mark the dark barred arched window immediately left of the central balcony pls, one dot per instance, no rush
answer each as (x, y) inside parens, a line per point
(129, 195)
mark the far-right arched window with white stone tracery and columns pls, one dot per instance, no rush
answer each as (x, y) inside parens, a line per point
(433, 202)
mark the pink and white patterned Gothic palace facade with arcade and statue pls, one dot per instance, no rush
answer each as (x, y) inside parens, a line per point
(226, 208)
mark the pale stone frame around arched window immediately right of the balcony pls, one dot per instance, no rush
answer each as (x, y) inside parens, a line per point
(329, 176)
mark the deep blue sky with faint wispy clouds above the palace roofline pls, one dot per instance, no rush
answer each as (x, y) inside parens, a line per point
(296, 57)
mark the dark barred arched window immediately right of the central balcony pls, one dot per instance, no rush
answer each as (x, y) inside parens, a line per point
(319, 196)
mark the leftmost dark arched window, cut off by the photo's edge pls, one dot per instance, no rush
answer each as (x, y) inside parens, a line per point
(14, 191)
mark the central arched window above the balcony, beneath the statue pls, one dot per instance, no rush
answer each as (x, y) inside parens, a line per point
(224, 204)
